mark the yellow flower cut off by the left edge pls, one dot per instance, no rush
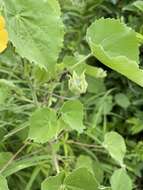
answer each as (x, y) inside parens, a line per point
(3, 35)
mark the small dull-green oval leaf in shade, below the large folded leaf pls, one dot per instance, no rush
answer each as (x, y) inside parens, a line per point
(122, 100)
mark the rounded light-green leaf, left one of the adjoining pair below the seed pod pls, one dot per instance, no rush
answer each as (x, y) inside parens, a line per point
(44, 125)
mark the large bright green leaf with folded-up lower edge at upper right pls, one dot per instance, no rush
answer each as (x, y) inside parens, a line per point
(116, 47)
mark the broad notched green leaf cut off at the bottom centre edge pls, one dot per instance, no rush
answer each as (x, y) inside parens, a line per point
(79, 179)
